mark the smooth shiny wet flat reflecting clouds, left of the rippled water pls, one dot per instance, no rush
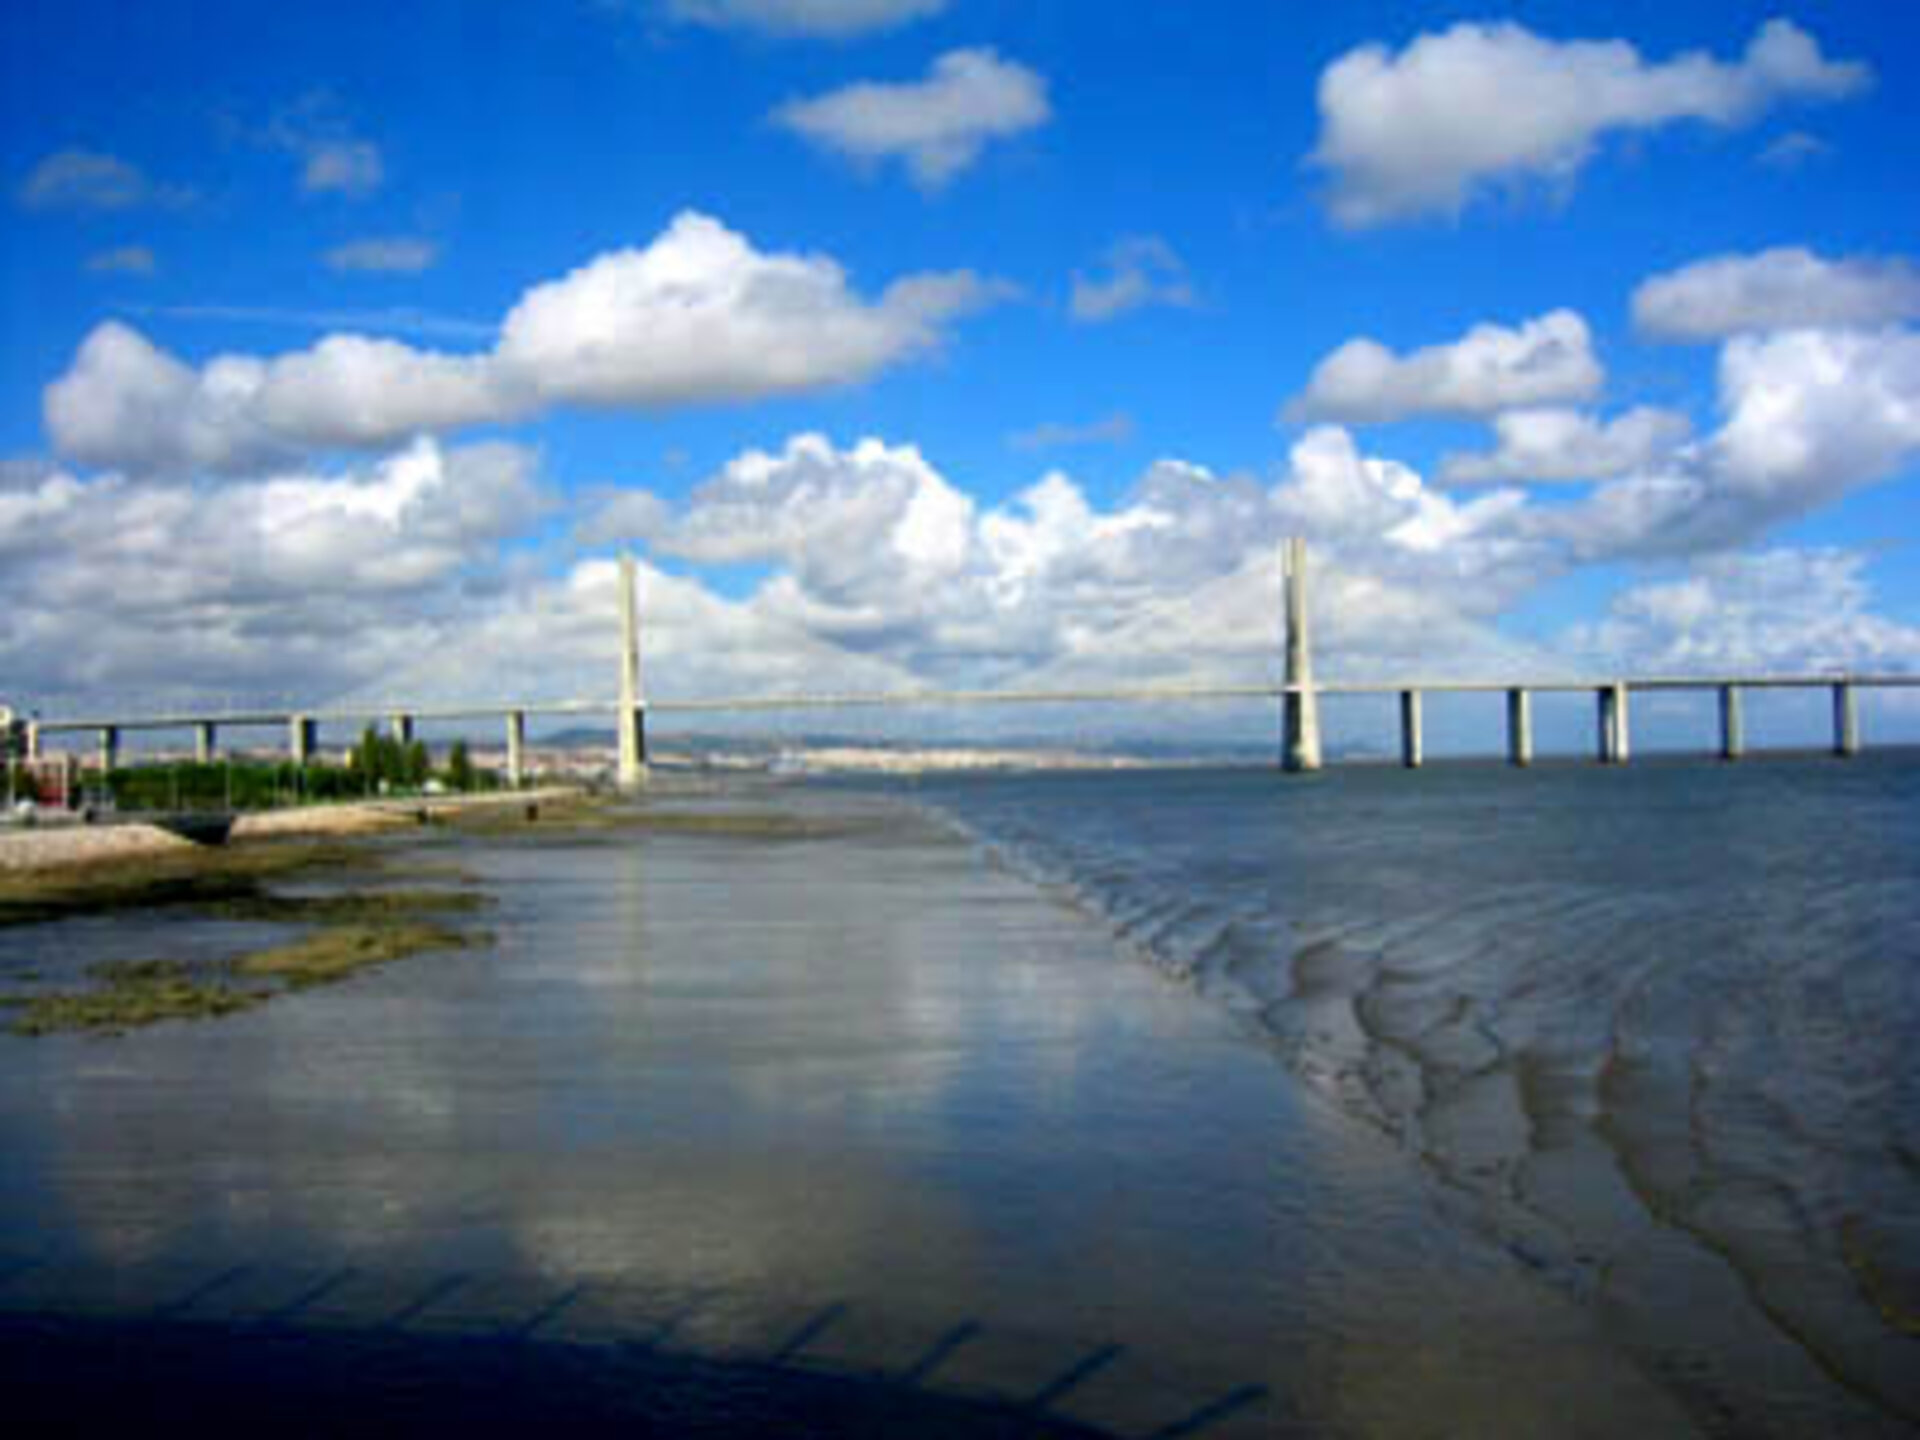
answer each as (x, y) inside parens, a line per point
(859, 1070)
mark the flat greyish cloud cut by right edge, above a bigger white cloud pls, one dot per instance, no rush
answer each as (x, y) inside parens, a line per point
(1779, 289)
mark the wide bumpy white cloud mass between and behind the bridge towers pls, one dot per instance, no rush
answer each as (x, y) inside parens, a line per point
(882, 556)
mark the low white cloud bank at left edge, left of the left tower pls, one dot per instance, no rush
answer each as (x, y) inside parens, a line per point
(310, 587)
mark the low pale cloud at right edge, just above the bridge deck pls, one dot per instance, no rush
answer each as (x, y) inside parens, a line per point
(1777, 612)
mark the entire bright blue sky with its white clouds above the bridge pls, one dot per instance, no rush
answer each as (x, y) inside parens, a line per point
(949, 341)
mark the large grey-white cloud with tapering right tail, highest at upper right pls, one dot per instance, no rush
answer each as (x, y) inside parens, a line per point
(1433, 128)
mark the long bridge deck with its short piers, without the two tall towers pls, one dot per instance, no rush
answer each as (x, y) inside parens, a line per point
(1612, 698)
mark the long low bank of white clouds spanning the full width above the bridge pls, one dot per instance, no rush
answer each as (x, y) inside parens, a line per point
(876, 573)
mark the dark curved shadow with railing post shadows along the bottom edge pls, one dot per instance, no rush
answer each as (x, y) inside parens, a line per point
(327, 1351)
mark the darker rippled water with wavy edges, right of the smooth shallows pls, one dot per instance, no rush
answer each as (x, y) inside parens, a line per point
(1652, 1030)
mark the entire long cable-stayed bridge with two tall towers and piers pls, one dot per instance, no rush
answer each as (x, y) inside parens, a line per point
(1299, 698)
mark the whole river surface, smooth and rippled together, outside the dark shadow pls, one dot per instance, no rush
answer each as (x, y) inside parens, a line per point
(1466, 1103)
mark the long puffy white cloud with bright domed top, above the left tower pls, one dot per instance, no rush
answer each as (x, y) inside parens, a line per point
(696, 318)
